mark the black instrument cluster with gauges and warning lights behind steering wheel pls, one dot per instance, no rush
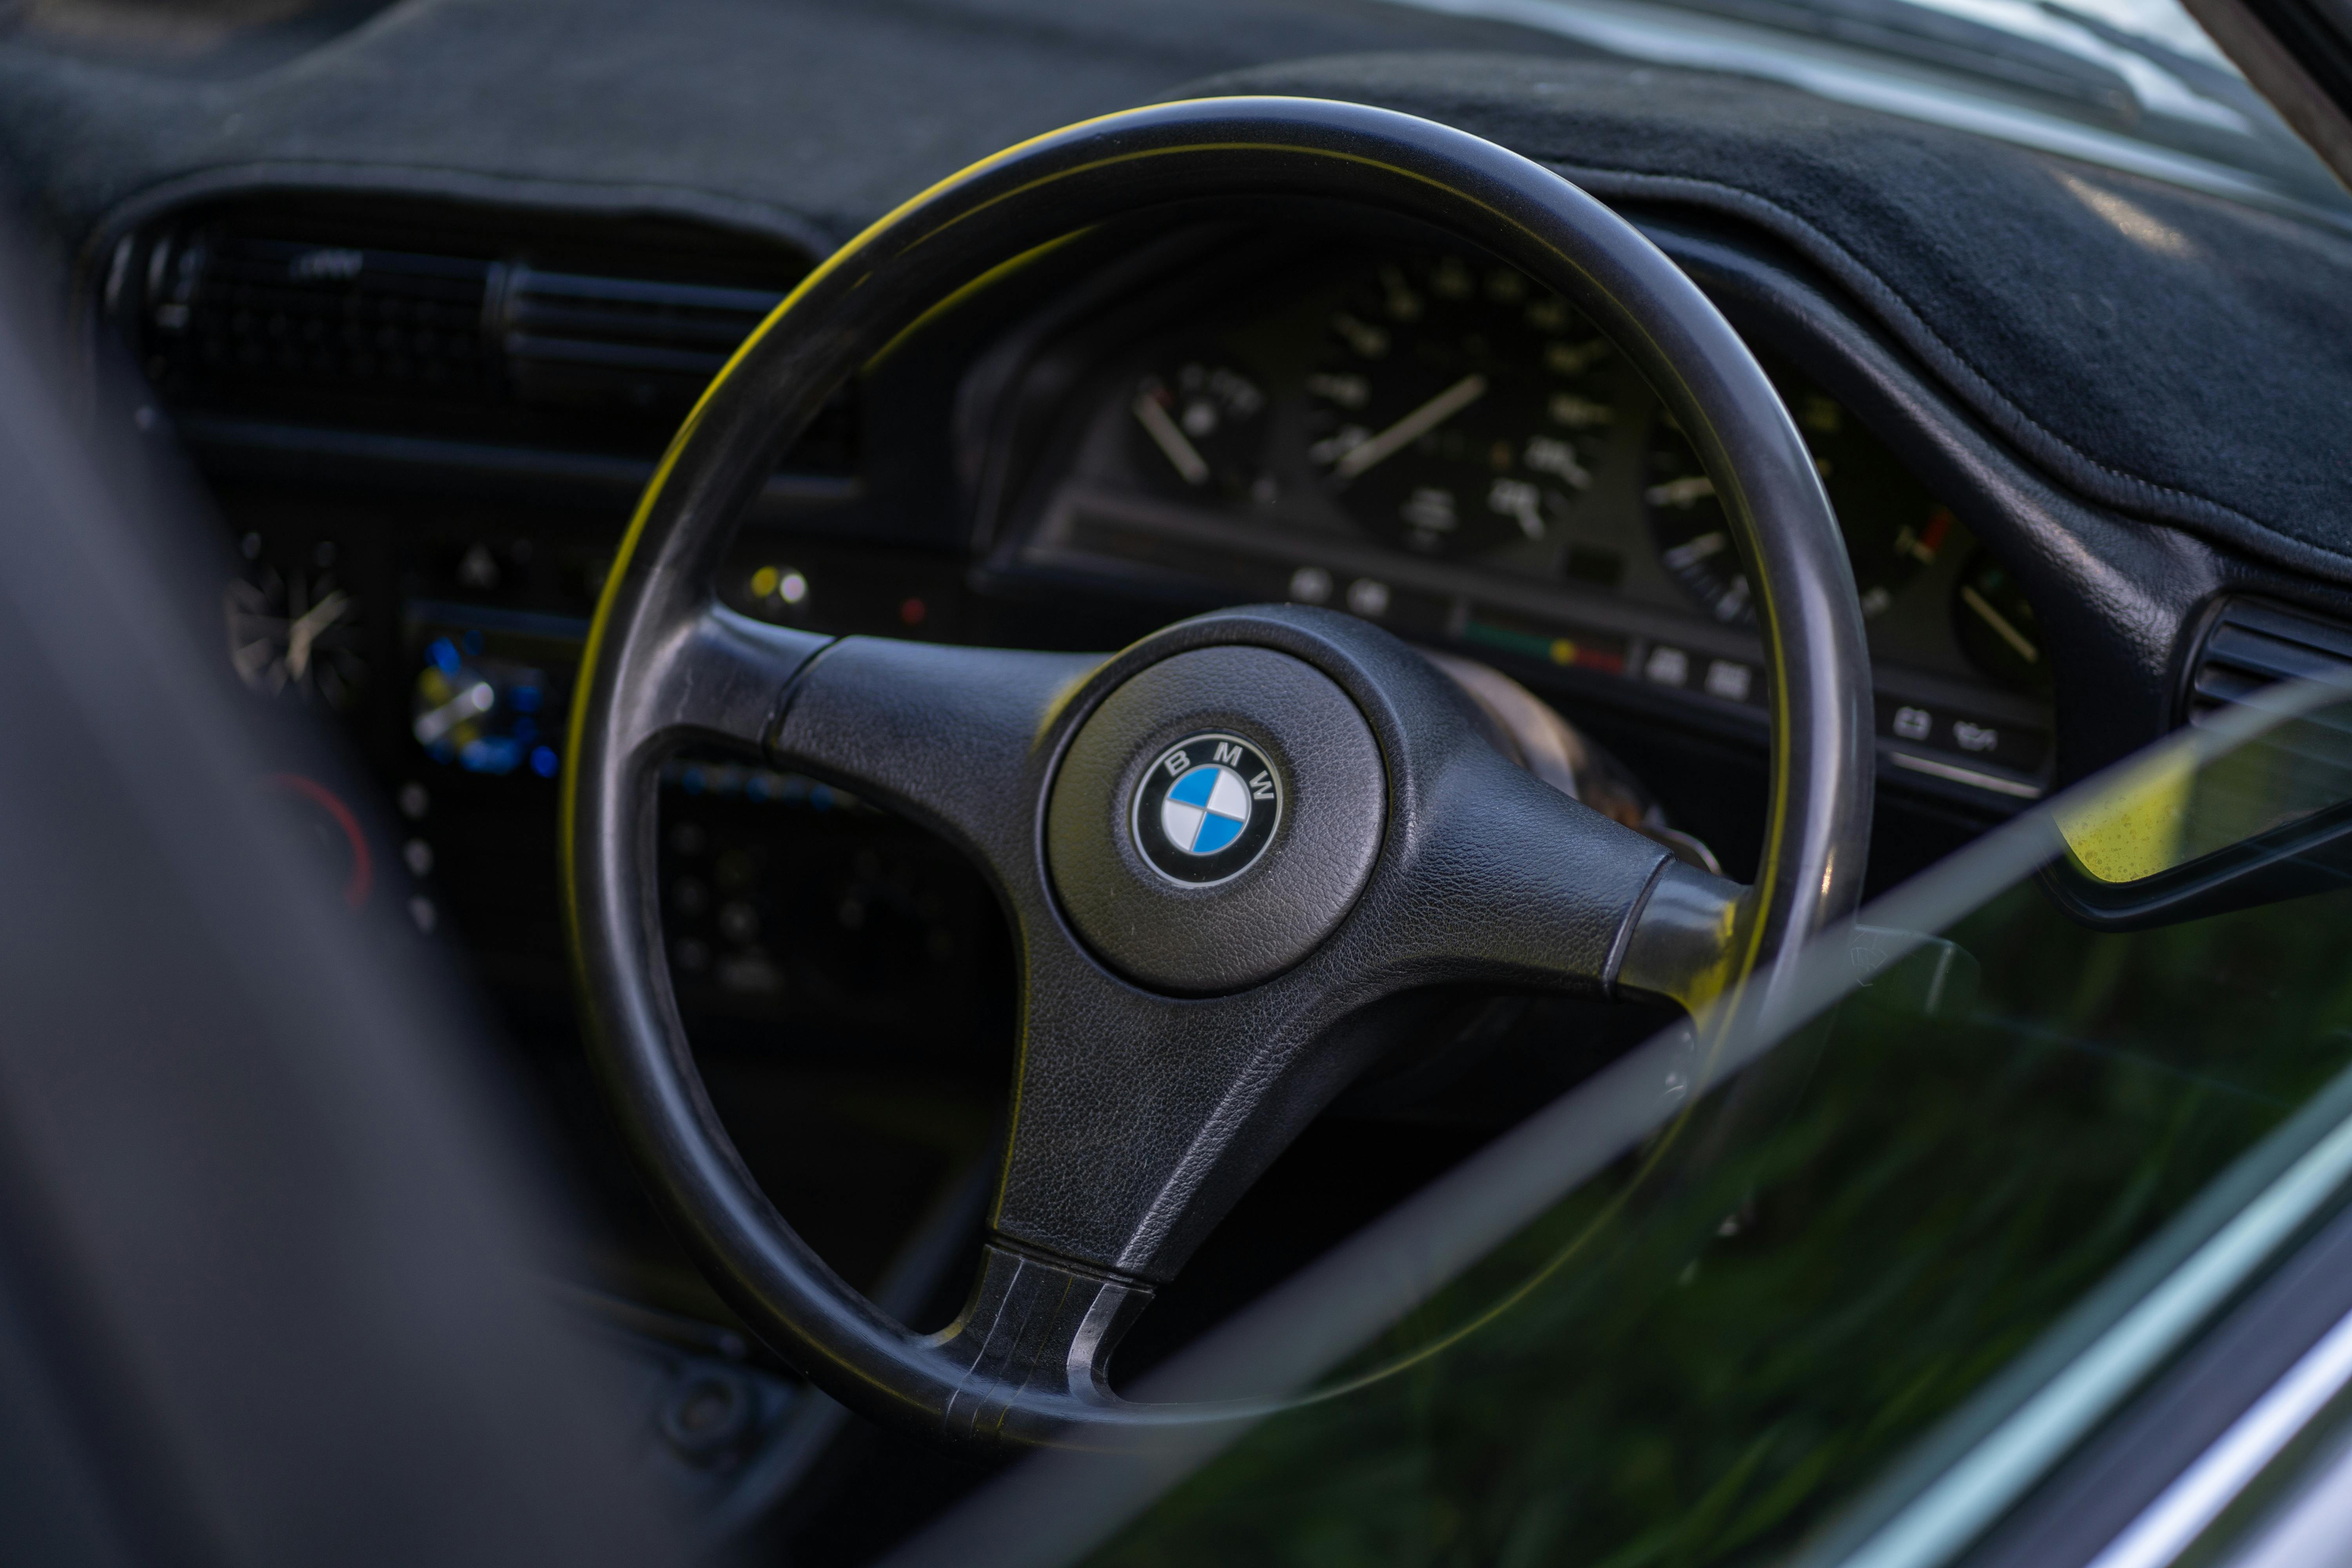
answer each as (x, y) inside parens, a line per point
(1426, 438)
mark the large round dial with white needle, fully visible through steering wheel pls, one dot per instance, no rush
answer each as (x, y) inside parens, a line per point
(1457, 406)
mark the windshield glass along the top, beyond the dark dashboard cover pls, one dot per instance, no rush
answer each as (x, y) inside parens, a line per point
(2120, 83)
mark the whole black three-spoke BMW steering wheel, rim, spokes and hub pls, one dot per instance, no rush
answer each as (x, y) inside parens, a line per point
(1227, 847)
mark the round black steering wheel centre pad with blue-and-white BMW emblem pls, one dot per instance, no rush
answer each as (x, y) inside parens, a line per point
(1215, 819)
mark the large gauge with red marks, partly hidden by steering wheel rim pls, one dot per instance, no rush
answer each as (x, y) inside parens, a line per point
(1892, 525)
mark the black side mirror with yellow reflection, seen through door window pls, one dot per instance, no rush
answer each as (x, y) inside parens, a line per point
(2245, 812)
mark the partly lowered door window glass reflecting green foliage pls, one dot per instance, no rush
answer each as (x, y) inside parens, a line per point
(1826, 1285)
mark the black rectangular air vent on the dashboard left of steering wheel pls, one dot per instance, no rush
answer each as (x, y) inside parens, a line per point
(519, 335)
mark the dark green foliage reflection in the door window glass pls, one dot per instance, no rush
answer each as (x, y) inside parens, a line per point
(1765, 1308)
